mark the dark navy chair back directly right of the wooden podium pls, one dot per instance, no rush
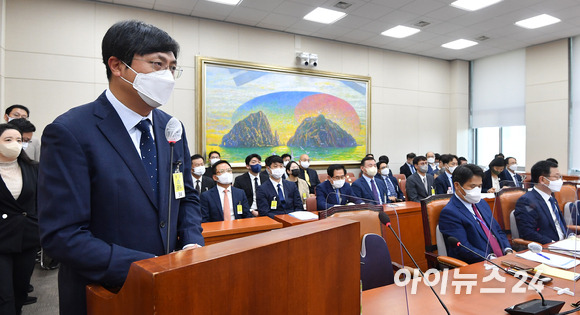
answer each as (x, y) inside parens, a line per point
(376, 269)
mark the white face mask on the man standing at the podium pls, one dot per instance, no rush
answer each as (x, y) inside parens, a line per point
(155, 88)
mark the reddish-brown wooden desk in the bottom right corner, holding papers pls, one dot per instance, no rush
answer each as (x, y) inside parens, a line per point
(391, 299)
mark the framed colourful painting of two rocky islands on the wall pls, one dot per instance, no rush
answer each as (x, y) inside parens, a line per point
(246, 108)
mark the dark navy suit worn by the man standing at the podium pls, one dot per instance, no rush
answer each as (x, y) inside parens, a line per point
(97, 209)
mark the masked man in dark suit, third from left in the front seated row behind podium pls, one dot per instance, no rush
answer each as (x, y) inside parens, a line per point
(335, 190)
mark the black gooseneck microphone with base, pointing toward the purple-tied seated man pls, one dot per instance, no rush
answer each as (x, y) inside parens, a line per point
(530, 307)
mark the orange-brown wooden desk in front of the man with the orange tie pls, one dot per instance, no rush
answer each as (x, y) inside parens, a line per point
(216, 232)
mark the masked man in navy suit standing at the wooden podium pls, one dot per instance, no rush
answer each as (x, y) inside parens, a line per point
(104, 178)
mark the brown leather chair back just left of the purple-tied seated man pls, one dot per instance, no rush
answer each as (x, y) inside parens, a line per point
(430, 210)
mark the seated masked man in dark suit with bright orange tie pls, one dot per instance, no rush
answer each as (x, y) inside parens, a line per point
(224, 202)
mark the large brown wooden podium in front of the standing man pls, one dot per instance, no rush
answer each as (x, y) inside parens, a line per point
(306, 269)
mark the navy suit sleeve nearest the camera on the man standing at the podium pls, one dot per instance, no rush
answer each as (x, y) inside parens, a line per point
(64, 194)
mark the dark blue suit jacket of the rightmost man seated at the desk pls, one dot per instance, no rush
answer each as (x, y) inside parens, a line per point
(534, 219)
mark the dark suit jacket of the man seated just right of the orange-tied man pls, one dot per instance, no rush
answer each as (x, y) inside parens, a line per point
(267, 192)
